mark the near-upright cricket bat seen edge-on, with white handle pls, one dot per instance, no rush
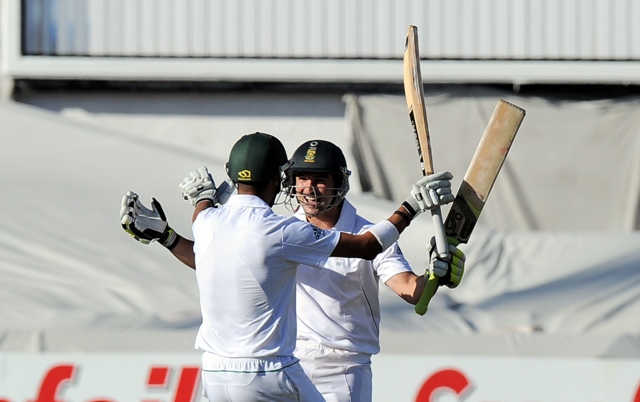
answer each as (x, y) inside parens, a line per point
(414, 94)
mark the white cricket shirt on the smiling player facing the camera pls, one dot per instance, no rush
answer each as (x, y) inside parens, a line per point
(339, 306)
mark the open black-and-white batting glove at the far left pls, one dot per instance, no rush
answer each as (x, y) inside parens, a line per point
(144, 224)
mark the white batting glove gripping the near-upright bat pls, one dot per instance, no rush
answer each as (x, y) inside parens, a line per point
(429, 192)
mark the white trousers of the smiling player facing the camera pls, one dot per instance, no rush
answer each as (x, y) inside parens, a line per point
(340, 375)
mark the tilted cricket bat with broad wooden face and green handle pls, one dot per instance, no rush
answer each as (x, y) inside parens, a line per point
(478, 182)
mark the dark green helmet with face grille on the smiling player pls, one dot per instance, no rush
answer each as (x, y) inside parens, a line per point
(318, 156)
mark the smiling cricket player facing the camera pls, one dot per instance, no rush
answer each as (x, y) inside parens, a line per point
(338, 307)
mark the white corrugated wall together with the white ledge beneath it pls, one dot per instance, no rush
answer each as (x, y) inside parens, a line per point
(465, 41)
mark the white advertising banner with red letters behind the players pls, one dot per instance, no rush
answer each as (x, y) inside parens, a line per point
(151, 377)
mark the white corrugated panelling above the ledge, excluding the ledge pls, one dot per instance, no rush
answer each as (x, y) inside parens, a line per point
(374, 29)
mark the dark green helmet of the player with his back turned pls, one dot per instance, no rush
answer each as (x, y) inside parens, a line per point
(256, 158)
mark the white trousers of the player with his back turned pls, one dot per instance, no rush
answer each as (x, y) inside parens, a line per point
(275, 379)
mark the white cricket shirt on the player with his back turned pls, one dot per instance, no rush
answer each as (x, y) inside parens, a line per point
(246, 262)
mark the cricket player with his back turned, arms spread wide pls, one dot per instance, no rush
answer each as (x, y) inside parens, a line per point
(246, 258)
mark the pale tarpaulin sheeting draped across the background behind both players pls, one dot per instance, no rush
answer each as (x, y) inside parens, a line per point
(73, 281)
